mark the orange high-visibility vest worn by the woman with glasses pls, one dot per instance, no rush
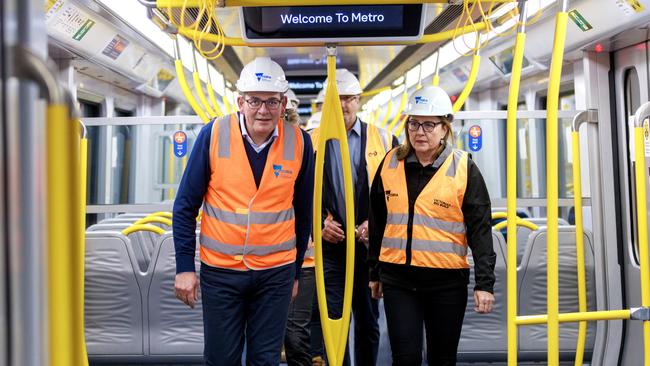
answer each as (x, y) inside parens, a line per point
(438, 239)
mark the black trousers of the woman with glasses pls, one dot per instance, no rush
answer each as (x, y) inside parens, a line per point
(440, 311)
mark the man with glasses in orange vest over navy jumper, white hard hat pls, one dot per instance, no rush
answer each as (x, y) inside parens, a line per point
(253, 175)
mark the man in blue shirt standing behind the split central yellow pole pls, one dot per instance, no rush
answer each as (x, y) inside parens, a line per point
(367, 145)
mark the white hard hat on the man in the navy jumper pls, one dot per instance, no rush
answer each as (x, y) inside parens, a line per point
(262, 75)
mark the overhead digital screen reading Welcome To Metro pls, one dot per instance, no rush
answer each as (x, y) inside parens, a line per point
(346, 22)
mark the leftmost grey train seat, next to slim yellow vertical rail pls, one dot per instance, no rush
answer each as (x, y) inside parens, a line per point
(113, 296)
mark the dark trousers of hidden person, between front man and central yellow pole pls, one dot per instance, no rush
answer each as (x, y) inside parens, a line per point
(298, 335)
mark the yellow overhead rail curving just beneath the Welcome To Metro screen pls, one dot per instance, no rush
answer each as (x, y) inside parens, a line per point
(233, 41)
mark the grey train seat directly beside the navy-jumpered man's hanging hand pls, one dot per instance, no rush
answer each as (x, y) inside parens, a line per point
(174, 328)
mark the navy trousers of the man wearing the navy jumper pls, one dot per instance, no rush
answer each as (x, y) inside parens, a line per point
(250, 304)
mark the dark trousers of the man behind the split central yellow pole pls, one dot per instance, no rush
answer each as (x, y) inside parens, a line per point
(364, 308)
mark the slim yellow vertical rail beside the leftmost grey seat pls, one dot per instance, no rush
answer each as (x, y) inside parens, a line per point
(81, 250)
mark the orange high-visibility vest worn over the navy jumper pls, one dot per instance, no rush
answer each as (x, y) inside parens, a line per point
(243, 226)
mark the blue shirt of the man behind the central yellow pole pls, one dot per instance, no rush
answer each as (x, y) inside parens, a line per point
(354, 147)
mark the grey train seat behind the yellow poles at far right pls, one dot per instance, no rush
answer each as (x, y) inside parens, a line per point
(532, 291)
